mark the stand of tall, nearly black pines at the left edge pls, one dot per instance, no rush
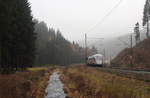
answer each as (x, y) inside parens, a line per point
(17, 34)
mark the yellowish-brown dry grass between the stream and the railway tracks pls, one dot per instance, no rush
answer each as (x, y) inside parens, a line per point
(82, 82)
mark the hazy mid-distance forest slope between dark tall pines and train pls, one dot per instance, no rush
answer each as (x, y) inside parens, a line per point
(53, 48)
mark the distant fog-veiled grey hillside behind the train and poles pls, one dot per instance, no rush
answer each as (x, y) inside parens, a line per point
(113, 46)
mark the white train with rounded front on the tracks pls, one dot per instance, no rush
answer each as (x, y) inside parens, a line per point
(95, 60)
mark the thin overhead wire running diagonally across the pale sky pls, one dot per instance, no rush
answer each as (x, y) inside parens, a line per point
(109, 13)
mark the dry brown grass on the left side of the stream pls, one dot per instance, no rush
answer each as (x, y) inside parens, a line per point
(30, 84)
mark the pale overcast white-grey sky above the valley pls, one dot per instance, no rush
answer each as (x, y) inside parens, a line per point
(76, 17)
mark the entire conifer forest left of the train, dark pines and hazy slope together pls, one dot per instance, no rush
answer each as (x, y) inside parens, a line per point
(27, 42)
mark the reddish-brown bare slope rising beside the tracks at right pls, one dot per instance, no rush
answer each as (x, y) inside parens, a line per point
(140, 58)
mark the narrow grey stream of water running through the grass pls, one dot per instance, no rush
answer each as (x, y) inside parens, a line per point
(55, 87)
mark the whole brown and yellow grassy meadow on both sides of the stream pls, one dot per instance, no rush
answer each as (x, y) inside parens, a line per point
(80, 82)
